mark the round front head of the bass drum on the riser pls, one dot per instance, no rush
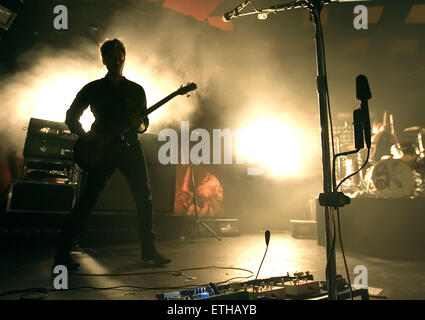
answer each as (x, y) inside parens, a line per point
(393, 179)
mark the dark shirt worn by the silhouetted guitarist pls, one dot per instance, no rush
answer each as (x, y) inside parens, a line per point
(111, 105)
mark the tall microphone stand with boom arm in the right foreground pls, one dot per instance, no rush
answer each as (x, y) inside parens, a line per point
(315, 7)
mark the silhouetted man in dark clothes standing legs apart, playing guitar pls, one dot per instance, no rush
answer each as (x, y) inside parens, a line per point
(112, 101)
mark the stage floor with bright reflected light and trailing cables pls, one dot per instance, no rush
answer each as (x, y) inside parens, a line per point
(32, 268)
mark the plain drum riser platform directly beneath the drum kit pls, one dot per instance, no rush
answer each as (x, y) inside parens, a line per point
(385, 227)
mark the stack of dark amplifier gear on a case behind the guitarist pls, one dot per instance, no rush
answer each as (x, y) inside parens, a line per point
(50, 178)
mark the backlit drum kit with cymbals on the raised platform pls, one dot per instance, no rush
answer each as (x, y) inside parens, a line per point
(396, 168)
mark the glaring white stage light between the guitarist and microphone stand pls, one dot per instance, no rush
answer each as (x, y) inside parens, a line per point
(273, 144)
